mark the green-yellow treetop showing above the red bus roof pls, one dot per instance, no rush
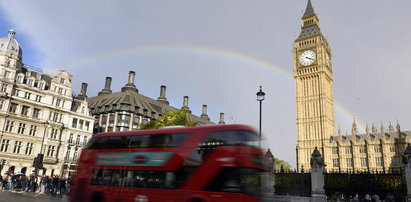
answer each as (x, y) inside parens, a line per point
(170, 118)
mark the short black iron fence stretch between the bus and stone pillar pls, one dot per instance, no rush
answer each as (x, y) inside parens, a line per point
(293, 183)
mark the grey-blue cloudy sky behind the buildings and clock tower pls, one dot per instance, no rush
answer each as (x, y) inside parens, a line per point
(218, 53)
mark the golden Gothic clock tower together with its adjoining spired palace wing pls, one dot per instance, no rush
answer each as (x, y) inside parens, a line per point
(373, 151)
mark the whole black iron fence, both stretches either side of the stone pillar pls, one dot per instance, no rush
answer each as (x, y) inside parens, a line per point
(344, 185)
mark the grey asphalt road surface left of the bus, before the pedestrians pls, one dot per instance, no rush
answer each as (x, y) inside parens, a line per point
(8, 196)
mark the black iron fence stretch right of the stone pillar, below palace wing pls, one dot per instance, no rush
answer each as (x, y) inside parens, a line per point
(385, 185)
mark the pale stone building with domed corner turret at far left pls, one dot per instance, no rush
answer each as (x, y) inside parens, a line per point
(39, 115)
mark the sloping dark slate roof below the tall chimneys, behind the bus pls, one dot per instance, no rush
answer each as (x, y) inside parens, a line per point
(134, 102)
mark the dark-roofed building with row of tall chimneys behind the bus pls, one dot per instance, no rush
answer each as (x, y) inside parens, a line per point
(127, 109)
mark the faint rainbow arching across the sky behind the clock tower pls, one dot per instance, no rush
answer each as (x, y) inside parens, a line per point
(186, 49)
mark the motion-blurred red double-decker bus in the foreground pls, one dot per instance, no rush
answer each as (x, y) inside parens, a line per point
(193, 164)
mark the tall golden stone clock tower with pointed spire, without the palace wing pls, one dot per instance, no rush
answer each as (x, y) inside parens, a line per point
(314, 95)
